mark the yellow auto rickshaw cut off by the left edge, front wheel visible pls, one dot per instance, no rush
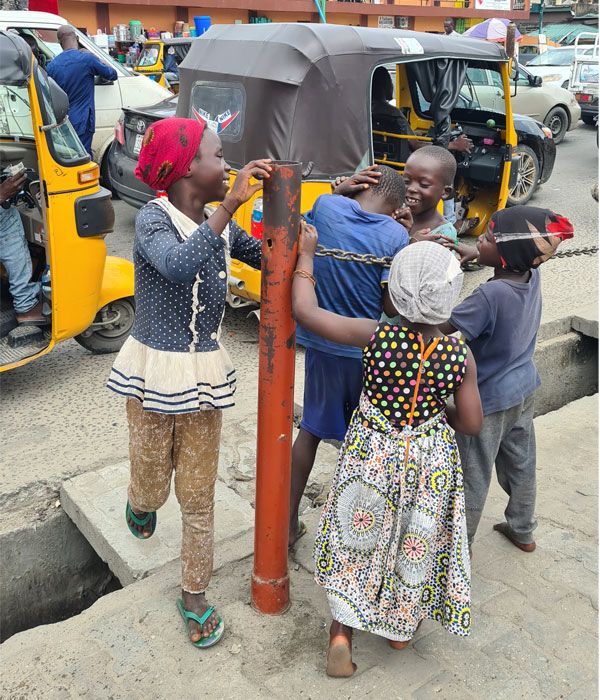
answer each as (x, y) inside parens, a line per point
(65, 216)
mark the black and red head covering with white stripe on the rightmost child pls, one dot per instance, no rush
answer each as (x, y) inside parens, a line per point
(528, 236)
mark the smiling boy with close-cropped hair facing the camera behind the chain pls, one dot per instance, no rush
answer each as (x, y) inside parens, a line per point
(429, 176)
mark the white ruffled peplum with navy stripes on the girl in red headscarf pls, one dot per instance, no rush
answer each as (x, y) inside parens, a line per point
(173, 382)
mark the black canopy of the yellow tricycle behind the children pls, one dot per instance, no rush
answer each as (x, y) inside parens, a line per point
(306, 87)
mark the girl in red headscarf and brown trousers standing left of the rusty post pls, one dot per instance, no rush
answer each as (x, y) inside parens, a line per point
(173, 371)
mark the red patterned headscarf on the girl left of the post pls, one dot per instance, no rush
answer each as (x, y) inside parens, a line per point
(168, 148)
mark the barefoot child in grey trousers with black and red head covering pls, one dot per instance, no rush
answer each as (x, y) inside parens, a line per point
(500, 321)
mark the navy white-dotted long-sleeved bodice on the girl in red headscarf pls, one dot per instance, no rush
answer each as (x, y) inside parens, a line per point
(181, 284)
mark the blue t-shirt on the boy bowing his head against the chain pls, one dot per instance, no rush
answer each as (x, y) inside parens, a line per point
(347, 288)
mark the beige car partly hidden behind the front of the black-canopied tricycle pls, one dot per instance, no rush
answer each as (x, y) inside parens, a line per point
(555, 107)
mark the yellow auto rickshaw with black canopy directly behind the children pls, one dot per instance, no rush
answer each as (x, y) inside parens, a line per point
(302, 92)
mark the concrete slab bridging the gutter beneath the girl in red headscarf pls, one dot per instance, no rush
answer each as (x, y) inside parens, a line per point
(95, 501)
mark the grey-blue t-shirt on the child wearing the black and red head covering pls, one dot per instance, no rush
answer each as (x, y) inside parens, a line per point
(500, 321)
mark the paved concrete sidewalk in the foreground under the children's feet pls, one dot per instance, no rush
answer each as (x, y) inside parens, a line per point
(534, 618)
